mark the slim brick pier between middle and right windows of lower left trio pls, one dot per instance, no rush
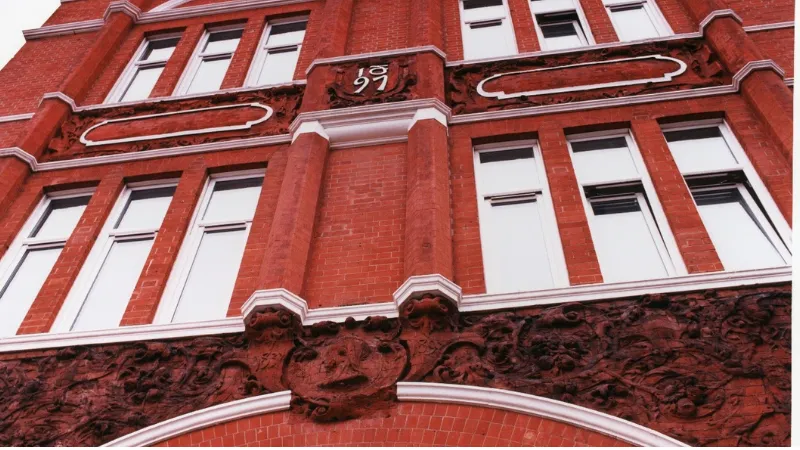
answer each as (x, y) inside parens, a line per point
(149, 288)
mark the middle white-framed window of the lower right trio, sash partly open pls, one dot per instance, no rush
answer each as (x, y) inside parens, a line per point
(630, 232)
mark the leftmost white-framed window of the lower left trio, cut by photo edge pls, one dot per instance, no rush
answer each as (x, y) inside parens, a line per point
(30, 258)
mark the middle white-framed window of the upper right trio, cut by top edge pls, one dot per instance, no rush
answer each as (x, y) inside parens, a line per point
(560, 24)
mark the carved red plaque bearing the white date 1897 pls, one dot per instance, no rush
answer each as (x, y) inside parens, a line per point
(373, 81)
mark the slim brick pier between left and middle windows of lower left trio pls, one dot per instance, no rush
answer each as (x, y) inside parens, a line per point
(48, 302)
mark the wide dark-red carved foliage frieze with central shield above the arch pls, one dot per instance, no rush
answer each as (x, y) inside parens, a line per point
(708, 368)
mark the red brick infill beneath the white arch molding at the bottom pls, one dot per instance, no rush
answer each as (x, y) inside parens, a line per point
(409, 424)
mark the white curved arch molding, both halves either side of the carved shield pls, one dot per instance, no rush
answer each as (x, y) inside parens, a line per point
(410, 392)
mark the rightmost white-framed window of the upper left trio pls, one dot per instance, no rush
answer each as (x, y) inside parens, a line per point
(278, 52)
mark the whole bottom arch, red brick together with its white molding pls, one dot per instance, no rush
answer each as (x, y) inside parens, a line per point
(426, 414)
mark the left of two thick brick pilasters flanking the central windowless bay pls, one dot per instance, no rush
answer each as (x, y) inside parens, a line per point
(289, 243)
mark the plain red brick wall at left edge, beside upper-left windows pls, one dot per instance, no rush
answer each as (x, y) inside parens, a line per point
(39, 67)
